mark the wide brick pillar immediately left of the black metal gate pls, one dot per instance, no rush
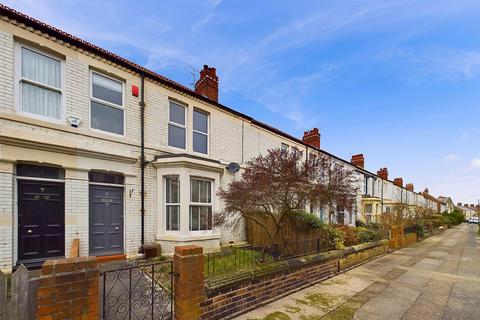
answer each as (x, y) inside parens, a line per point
(68, 289)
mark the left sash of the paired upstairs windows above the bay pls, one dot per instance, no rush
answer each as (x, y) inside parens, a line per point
(177, 126)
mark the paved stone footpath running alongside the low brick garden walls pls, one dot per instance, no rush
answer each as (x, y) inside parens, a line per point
(438, 278)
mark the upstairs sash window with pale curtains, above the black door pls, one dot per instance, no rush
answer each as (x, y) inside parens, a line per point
(40, 84)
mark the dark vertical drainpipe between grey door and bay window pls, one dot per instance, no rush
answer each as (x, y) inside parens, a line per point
(142, 158)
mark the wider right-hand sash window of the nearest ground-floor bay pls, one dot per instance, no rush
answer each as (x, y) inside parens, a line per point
(200, 205)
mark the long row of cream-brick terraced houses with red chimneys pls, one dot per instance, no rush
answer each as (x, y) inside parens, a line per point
(97, 148)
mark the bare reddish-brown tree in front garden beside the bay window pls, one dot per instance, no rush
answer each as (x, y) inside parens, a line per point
(280, 185)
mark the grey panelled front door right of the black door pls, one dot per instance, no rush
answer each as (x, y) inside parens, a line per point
(106, 220)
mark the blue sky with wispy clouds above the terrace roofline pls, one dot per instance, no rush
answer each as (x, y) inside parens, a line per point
(396, 80)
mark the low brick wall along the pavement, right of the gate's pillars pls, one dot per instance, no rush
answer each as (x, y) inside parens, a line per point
(236, 294)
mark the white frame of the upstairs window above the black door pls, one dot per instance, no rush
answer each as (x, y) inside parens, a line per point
(18, 79)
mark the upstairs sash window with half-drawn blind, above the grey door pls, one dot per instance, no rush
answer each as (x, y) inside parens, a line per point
(107, 112)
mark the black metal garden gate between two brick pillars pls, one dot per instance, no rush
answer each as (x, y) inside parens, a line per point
(138, 290)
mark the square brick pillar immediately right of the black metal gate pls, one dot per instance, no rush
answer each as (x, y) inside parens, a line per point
(189, 282)
